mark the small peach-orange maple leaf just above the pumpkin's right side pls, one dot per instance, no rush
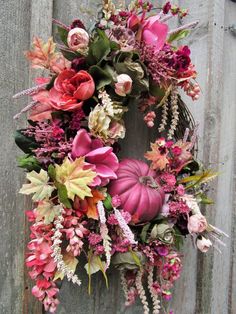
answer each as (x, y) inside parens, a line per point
(159, 161)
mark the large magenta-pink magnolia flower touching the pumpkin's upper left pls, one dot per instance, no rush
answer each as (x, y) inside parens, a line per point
(102, 158)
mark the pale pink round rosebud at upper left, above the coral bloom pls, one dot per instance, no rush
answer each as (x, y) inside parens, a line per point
(78, 39)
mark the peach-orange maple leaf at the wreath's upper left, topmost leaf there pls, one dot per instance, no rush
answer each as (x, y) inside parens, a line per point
(41, 53)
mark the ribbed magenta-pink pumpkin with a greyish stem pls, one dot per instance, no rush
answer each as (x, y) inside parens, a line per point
(138, 190)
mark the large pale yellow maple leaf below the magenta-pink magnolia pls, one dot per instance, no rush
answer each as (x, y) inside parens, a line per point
(76, 177)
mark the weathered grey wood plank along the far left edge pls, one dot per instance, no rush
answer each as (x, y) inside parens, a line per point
(13, 76)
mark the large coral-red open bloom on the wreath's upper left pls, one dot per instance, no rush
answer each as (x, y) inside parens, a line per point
(70, 89)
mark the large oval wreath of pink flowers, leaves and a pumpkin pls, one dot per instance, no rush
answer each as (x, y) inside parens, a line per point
(129, 213)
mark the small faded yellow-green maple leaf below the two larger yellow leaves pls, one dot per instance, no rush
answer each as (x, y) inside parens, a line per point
(47, 212)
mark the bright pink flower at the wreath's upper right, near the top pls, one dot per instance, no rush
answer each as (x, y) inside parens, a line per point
(154, 33)
